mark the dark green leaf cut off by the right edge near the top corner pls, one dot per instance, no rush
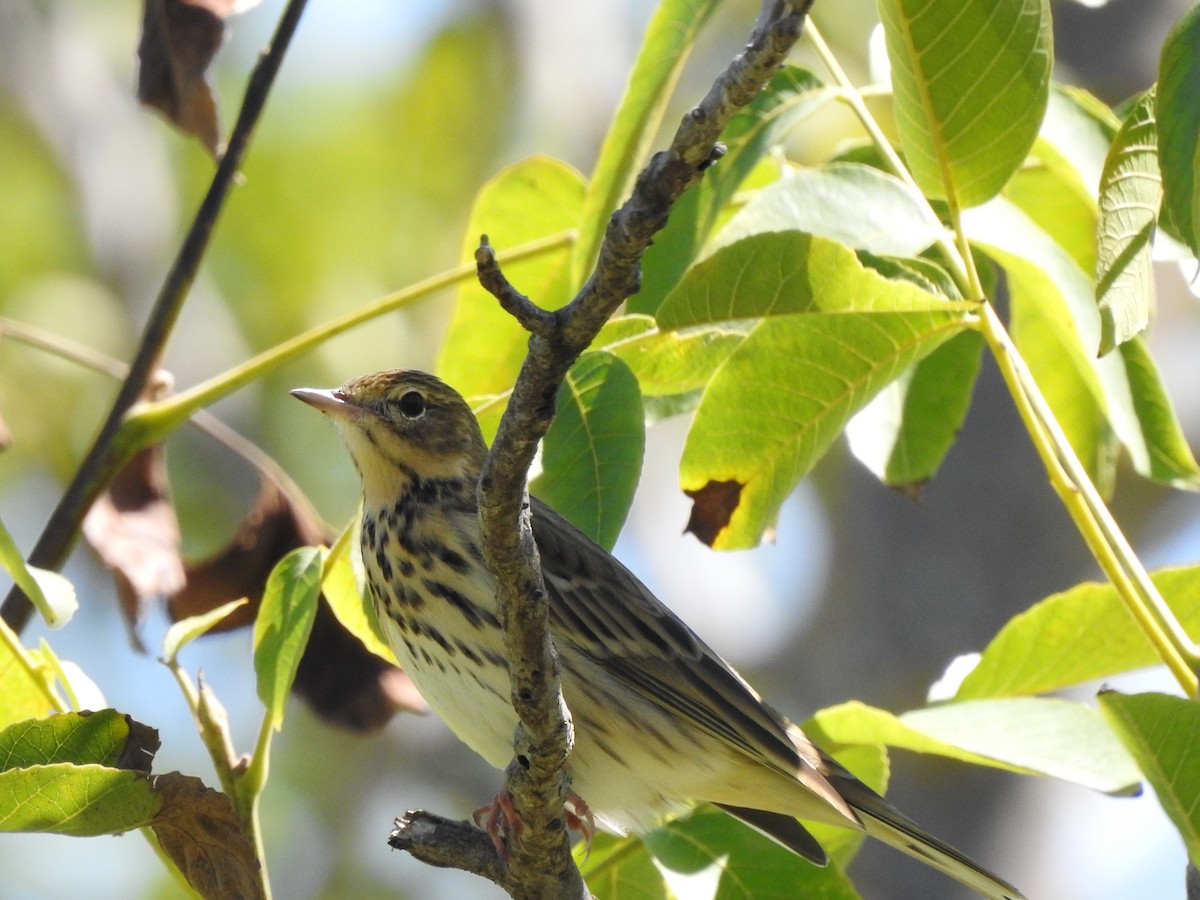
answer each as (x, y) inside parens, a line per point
(1179, 129)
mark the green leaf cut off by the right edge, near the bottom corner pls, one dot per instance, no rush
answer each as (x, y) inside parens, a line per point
(1163, 734)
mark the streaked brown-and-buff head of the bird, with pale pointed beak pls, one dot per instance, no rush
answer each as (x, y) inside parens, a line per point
(403, 422)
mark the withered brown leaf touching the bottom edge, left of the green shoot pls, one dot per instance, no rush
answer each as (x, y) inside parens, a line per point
(203, 835)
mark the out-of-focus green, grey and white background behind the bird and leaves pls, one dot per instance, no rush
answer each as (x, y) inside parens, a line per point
(388, 121)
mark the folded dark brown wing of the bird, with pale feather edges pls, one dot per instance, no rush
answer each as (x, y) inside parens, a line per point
(610, 616)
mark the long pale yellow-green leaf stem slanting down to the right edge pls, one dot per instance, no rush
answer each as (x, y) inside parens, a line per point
(1065, 472)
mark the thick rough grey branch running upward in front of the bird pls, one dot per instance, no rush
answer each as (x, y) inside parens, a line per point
(542, 865)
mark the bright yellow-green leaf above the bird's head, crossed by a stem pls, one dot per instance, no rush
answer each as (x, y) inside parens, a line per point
(532, 200)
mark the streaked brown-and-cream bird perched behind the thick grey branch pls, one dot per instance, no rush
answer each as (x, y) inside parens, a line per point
(662, 722)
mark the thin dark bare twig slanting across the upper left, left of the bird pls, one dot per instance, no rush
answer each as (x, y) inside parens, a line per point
(104, 459)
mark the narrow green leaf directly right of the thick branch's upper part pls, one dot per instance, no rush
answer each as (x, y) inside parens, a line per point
(793, 95)
